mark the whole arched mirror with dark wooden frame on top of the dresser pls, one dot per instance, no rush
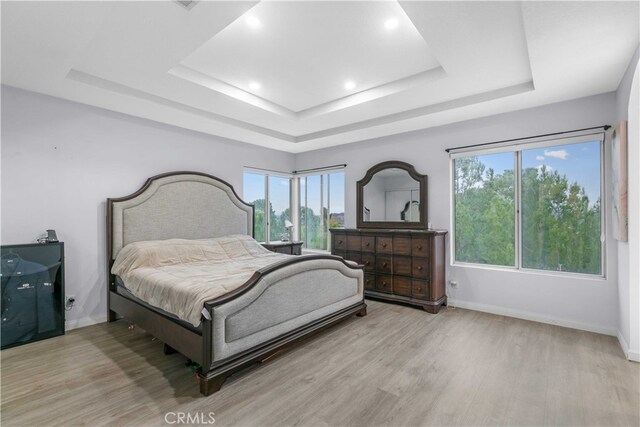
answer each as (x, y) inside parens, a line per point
(392, 195)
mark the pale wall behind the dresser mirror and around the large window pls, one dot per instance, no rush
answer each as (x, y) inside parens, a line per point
(590, 304)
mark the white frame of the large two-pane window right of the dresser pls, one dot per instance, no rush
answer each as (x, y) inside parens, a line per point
(517, 150)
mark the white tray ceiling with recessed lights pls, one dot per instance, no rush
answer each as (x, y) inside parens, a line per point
(302, 75)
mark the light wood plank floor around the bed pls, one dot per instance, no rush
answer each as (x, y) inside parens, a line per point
(396, 366)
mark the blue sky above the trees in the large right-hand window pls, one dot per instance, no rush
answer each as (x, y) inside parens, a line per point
(579, 162)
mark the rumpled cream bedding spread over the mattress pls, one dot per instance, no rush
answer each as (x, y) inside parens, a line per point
(179, 275)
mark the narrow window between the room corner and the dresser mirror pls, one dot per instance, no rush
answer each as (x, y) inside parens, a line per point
(321, 208)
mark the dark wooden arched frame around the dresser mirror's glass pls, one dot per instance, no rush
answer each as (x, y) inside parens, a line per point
(422, 180)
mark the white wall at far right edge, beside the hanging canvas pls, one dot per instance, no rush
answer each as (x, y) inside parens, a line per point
(629, 272)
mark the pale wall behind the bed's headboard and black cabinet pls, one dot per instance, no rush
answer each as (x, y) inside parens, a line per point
(61, 160)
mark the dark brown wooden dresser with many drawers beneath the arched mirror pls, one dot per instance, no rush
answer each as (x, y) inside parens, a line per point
(400, 265)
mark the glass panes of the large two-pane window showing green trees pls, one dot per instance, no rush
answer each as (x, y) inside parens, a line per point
(533, 206)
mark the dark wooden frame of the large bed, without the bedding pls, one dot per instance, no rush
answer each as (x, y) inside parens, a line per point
(192, 344)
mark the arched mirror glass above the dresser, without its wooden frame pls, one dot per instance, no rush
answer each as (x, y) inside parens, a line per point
(391, 195)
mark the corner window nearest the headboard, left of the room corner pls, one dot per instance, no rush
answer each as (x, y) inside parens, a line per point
(263, 190)
